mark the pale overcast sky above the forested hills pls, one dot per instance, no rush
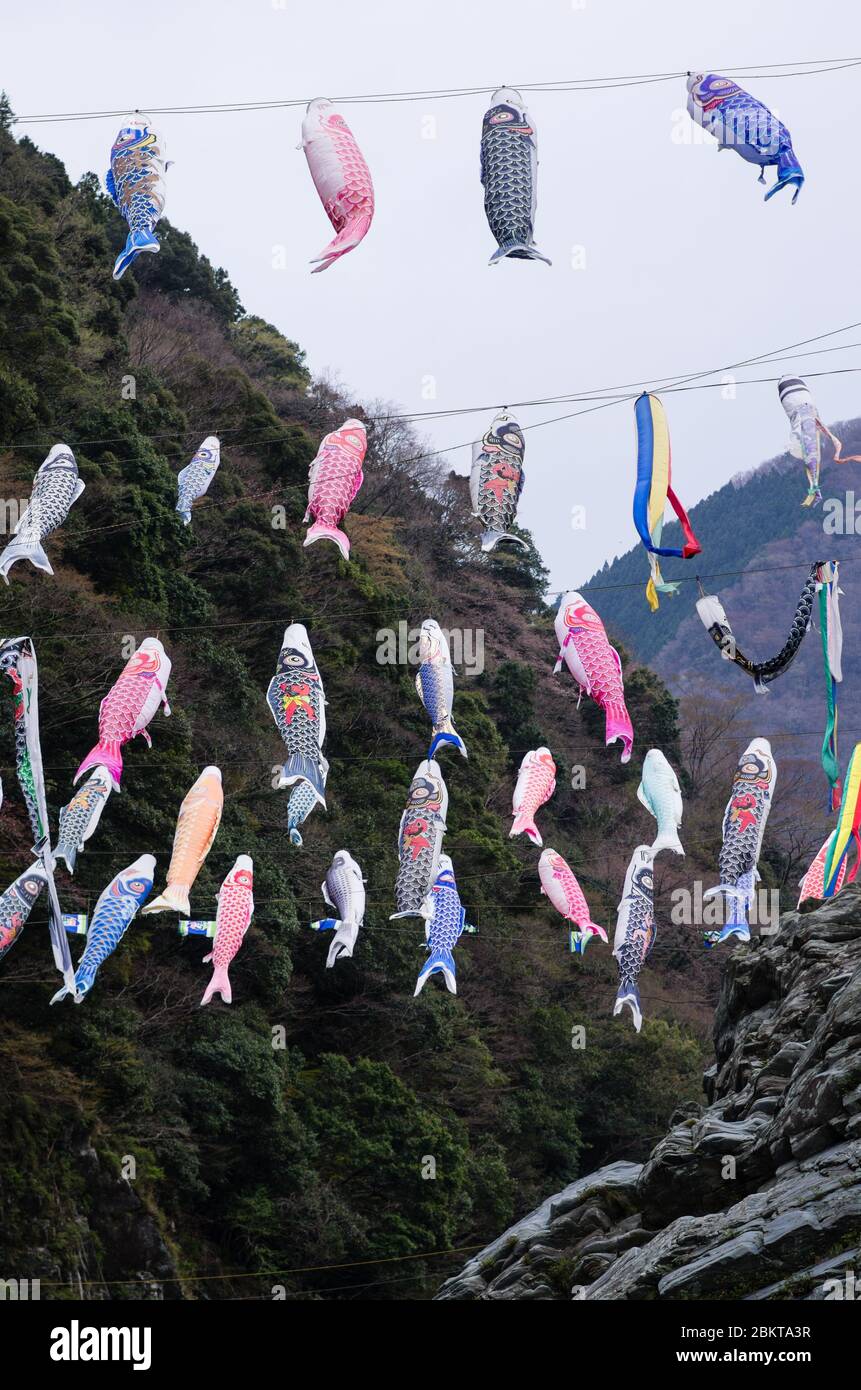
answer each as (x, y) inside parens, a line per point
(686, 268)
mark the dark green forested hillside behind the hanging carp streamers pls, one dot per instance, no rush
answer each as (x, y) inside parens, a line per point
(290, 1132)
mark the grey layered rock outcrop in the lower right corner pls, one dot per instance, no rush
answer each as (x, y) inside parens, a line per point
(756, 1195)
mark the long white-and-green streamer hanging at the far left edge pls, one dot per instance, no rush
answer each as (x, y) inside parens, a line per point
(19, 662)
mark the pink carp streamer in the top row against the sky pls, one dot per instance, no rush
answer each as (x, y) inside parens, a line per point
(341, 177)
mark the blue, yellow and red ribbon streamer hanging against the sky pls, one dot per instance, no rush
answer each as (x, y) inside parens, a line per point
(652, 494)
